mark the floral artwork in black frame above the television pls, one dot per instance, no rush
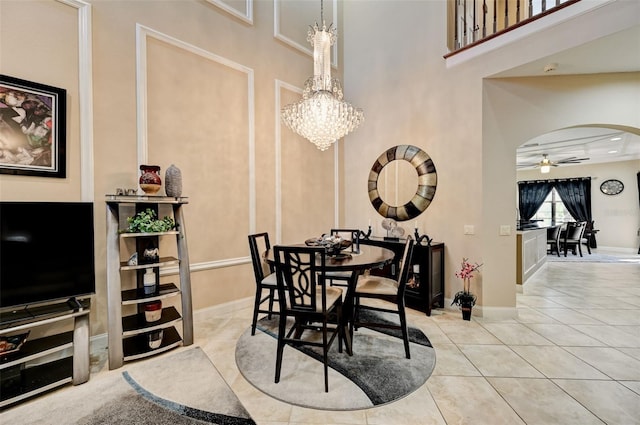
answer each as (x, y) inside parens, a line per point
(32, 128)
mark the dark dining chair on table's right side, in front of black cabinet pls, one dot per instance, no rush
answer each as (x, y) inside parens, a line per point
(386, 289)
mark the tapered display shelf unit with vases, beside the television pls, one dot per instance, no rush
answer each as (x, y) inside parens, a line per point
(141, 321)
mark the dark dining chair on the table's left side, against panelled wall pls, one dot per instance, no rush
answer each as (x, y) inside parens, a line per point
(266, 285)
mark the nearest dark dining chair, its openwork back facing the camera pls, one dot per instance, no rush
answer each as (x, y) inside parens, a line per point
(304, 296)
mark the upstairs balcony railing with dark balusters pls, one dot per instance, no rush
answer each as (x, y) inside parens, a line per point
(475, 21)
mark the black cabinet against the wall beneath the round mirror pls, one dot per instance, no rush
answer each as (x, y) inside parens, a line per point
(425, 289)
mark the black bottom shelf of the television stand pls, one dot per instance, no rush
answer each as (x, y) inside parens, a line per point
(35, 380)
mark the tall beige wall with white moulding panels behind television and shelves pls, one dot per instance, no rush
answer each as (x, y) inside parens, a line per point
(184, 83)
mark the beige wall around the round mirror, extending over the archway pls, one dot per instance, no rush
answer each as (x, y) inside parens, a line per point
(467, 122)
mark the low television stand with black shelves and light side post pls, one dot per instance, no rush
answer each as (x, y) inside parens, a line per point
(18, 378)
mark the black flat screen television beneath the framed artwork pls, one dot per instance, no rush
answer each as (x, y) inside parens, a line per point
(46, 252)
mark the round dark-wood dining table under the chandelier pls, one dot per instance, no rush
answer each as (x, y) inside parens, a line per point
(368, 257)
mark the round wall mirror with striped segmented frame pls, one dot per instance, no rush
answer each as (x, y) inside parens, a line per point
(427, 180)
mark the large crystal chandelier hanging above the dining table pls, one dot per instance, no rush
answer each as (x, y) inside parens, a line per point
(322, 116)
